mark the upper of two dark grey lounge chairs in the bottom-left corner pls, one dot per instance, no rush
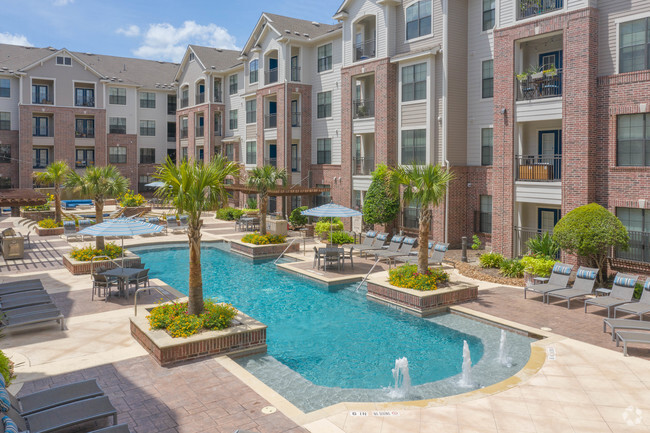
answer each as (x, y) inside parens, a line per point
(57, 396)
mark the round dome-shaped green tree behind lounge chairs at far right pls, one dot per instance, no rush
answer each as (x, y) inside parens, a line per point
(590, 231)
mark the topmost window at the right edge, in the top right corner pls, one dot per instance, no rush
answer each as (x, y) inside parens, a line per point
(634, 43)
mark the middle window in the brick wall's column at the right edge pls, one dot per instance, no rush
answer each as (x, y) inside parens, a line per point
(633, 140)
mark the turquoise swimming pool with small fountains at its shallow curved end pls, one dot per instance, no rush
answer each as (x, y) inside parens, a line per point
(331, 344)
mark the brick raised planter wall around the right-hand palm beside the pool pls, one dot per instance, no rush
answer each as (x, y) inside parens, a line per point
(422, 303)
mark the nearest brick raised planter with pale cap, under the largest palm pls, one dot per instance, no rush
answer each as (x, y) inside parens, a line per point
(245, 336)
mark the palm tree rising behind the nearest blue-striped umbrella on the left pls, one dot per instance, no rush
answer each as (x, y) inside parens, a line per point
(99, 183)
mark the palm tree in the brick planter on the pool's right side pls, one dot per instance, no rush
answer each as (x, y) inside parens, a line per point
(426, 186)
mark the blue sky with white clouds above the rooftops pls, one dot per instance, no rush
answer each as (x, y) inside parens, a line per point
(153, 29)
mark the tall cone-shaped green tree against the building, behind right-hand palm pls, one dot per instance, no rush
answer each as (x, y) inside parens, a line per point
(381, 204)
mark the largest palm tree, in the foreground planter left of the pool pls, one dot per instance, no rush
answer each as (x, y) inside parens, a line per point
(194, 188)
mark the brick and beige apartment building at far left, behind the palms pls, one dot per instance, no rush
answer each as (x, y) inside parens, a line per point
(86, 109)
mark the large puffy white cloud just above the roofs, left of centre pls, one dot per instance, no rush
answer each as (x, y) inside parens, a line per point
(163, 41)
